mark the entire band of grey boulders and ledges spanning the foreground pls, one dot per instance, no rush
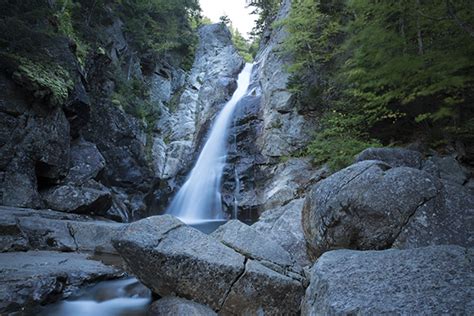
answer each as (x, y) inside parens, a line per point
(290, 262)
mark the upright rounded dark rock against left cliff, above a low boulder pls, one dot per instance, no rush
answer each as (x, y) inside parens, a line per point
(86, 162)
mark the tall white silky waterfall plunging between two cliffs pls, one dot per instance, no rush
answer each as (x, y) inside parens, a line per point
(199, 199)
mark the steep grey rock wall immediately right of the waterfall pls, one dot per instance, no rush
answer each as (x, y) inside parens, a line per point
(268, 128)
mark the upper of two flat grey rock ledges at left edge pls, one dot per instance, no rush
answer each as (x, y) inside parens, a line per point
(26, 229)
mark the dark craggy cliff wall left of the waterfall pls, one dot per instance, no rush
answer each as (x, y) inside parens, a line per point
(86, 154)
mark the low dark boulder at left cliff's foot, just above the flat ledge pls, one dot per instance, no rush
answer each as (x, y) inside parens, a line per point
(90, 198)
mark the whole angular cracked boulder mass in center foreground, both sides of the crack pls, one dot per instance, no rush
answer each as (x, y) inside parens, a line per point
(230, 276)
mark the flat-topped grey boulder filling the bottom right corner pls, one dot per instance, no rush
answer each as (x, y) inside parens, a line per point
(429, 281)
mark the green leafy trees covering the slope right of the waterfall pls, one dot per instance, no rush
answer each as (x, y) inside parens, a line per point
(384, 70)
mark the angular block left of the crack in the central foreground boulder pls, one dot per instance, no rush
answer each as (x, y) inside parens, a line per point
(171, 258)
